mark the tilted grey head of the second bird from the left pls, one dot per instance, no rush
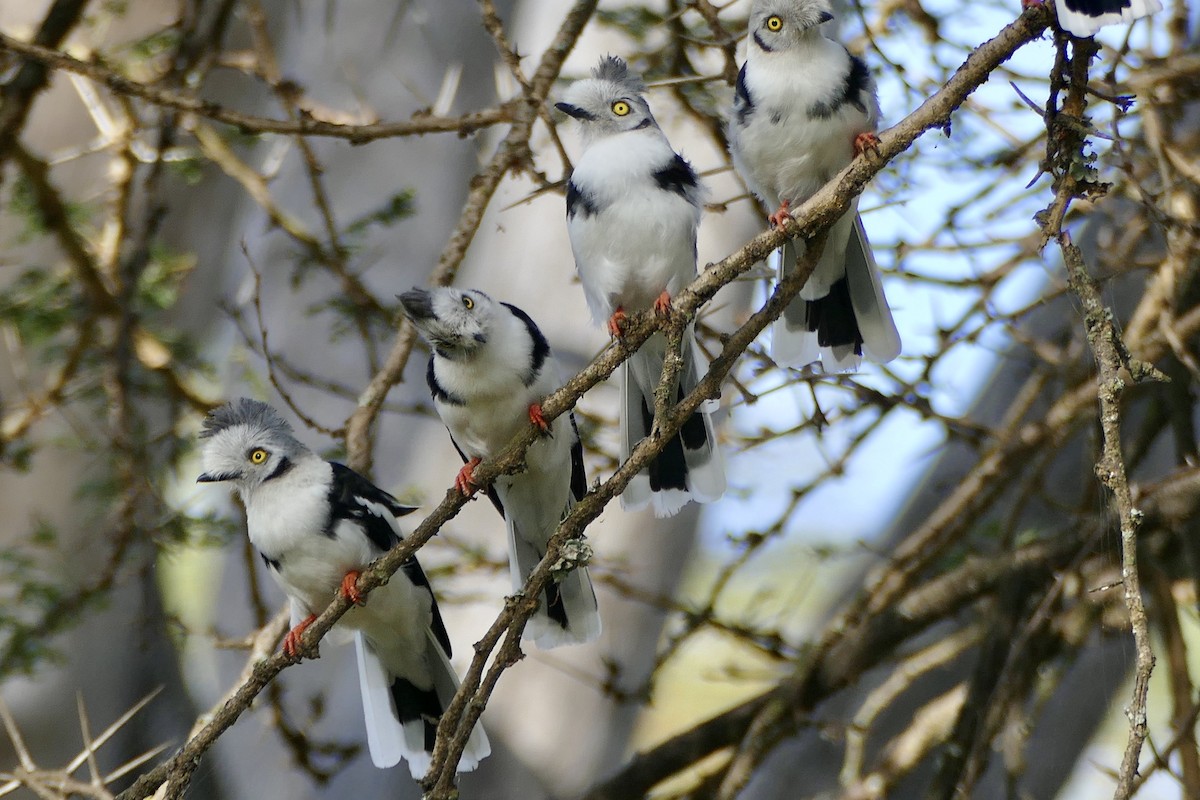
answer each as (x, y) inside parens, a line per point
(455, 322)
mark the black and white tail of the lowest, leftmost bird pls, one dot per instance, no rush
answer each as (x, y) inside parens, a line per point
(403, 718)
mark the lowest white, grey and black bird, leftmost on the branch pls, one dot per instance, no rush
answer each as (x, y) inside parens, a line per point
(317, 525)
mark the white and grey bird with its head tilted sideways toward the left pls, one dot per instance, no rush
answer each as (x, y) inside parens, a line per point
(489, 372)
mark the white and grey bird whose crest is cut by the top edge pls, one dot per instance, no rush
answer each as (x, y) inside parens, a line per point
(803, 109)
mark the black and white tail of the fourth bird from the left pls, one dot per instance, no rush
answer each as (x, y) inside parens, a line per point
(842, 315)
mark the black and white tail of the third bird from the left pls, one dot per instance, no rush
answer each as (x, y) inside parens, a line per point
(691, 467)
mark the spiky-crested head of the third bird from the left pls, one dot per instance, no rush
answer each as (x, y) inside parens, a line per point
(609, 103)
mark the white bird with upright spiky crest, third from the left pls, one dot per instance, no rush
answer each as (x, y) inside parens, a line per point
(633, 209)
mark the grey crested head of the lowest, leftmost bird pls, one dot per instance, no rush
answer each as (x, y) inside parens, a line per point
(248, 443)
